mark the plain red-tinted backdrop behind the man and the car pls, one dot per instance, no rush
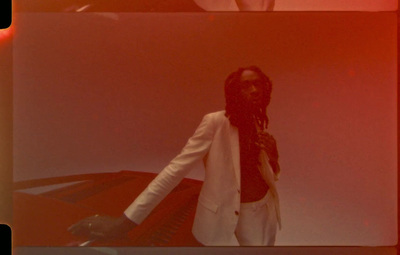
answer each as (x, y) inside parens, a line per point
(110, 92)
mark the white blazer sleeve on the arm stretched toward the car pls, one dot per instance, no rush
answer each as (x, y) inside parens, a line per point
(194, 150)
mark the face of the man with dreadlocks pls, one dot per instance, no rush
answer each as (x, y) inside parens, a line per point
(251, 88)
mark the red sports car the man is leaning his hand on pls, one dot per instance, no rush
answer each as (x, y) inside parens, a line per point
(41, 218)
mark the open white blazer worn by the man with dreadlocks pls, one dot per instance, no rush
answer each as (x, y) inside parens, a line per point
(216, 142)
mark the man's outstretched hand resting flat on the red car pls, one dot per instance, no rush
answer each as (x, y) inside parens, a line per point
(100, 227)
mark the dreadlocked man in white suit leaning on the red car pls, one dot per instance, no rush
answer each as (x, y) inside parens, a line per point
(238, 203)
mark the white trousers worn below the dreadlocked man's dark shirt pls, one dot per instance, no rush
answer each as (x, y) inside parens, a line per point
(257, 225)
